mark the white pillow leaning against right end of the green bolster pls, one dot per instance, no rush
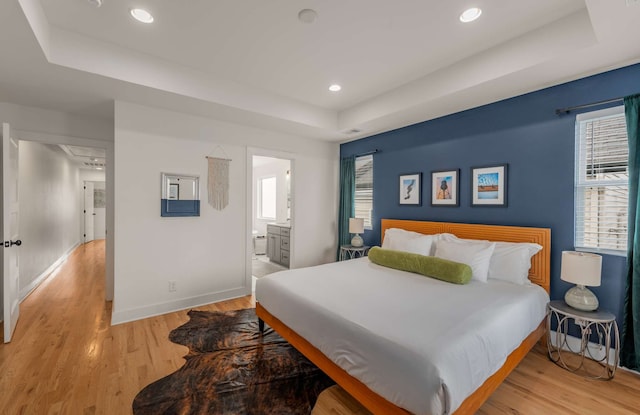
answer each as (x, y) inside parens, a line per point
(476, 254)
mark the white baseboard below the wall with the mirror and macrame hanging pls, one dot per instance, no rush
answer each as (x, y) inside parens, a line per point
(125, 316)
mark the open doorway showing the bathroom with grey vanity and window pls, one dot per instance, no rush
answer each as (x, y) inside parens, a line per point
(271, 215)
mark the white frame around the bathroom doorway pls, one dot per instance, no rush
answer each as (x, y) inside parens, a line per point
(255, 151)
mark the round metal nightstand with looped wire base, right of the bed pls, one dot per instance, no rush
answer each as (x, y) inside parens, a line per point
(603, 323)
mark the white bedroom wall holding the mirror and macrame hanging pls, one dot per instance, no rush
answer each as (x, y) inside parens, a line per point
(208, 255)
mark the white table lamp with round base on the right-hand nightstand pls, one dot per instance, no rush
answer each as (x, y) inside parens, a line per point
(582, 269)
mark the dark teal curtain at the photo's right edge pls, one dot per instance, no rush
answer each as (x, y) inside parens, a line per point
(630, 350)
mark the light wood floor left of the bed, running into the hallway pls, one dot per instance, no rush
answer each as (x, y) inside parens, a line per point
(65, 358)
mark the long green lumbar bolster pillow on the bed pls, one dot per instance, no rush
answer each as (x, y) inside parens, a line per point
(430, 266)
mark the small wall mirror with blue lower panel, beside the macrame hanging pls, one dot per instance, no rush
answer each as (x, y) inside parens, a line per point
(180, 195)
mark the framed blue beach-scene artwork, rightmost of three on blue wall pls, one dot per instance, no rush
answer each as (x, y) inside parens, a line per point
(489, 186)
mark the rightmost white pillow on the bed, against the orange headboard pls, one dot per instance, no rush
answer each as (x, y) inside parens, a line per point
(511, 261)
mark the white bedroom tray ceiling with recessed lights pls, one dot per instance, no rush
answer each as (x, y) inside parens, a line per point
(254, 62)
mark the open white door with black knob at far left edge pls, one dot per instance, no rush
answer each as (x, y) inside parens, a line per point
(10, 251)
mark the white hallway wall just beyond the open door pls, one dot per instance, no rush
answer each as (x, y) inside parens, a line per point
(48, 187)
